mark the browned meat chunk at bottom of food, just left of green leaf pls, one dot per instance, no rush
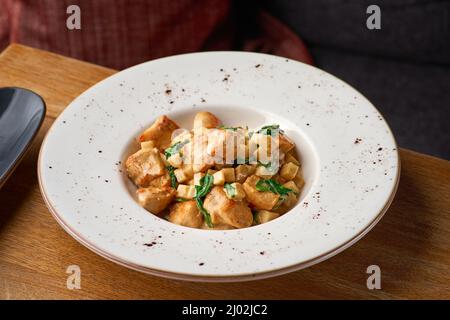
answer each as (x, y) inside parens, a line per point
(186, 214)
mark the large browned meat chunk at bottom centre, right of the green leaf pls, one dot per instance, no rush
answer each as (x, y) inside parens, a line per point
(226, 211)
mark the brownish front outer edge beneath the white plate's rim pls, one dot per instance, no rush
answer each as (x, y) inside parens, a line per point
(238, 278)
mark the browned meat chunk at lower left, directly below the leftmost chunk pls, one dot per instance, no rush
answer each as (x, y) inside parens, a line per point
(155, 199)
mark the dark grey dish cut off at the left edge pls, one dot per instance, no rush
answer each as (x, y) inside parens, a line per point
(21, 114)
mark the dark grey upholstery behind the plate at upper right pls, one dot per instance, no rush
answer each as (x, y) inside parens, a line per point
(404, 68)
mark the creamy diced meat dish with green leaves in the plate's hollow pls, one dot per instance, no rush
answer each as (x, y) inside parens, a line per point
(214, 176)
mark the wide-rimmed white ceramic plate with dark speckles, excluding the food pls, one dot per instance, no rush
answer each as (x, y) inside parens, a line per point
(350, 163)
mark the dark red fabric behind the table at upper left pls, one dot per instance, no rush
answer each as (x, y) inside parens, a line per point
(122, 33)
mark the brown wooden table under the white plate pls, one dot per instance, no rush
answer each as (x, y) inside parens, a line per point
(411, 244)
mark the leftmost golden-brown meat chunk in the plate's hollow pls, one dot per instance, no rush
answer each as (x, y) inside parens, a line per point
(144, 166)
